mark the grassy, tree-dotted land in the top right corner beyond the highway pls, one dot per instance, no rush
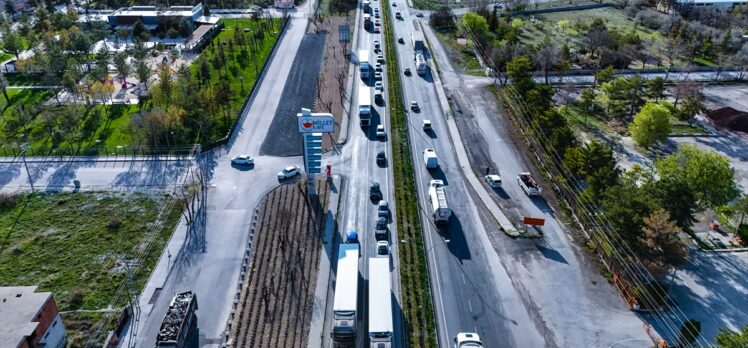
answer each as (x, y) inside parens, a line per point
(637, 36)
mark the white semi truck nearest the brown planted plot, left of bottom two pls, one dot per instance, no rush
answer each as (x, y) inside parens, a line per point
(346, 294)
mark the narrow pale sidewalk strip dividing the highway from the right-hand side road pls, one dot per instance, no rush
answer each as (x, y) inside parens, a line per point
(462, 157)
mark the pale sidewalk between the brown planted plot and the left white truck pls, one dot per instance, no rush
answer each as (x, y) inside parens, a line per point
(319, 306)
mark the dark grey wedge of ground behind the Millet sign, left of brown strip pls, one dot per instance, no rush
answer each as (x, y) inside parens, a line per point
(284, 139)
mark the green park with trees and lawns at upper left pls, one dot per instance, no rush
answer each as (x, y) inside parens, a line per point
(177, 104)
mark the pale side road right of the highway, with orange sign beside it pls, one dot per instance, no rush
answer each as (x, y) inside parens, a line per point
(570, 303)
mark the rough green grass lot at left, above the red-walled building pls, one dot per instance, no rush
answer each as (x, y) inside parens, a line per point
(77, 245)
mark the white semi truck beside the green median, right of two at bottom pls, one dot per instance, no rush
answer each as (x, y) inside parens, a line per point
(380, 303)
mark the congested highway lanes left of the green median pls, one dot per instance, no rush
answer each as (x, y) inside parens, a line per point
(356, 162)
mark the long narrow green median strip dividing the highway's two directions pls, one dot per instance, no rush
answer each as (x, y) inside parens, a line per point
(420, 330)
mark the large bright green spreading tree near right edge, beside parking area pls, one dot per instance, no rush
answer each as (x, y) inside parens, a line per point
(706, 174)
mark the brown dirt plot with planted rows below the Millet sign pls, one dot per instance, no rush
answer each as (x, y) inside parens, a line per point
(275, 305)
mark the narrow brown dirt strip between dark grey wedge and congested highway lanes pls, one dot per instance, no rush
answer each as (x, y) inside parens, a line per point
(333, 76)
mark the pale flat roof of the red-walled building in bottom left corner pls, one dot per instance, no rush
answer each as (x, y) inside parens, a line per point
(19, 305)
